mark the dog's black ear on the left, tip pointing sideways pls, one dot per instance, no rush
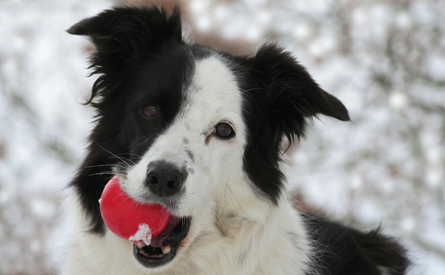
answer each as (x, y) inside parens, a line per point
(122, 36)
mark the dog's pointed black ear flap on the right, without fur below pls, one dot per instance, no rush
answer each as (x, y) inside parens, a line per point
(290, 95)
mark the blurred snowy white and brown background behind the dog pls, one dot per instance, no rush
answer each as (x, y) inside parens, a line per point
(384, 59)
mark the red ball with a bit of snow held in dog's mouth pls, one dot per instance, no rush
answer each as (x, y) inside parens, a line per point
(128, 218)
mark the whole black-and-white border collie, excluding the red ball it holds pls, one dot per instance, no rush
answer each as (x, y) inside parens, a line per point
(199, 131)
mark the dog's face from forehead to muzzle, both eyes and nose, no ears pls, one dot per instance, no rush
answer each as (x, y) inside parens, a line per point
(180, 160)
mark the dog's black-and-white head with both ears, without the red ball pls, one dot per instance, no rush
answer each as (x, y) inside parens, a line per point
(179, 123)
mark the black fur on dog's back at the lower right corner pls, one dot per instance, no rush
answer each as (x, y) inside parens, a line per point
(344, 251)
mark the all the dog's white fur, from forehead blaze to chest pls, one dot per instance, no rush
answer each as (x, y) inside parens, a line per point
(233, 230)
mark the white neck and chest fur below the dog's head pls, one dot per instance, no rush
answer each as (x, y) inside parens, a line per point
(236, 233)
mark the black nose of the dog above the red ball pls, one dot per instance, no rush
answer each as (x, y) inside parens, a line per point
(164, 179)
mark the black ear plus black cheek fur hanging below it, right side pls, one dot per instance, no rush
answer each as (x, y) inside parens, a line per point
(280, 96)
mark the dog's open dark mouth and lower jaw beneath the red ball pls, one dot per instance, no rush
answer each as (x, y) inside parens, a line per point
(163, 247)
